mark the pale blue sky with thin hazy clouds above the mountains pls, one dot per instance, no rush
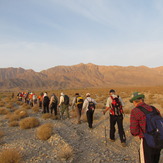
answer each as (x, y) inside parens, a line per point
(40, 34)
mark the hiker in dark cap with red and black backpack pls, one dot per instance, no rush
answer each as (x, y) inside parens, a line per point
(115, 105)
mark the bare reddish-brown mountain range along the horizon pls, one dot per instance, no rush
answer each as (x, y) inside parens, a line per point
(80, 76)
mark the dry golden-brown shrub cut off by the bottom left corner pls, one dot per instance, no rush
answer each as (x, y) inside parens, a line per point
(10, 156)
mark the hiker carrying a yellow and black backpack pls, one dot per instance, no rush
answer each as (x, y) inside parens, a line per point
(78, 104)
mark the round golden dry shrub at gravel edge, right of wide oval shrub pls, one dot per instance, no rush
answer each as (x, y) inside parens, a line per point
(44, 132)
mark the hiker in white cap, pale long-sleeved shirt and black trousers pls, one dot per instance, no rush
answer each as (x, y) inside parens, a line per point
(89, 107)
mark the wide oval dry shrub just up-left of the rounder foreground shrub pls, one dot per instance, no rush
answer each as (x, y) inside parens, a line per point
(29, 122)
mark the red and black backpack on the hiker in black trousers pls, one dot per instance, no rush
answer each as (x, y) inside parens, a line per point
(116, 108)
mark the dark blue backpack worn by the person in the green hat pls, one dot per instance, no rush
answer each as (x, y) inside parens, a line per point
(154, 128)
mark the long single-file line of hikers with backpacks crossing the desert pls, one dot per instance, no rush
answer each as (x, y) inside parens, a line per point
(145, 120)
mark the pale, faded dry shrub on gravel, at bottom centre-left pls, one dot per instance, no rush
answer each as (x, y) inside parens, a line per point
(65, 152)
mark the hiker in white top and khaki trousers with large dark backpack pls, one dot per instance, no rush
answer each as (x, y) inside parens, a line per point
(64, 105)
